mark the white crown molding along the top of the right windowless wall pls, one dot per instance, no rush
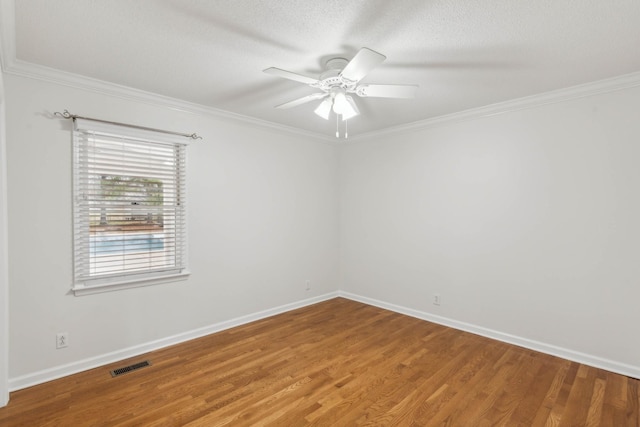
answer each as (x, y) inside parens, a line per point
(625, 81)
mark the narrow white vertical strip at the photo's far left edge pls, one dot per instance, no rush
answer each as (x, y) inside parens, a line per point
(4, 287)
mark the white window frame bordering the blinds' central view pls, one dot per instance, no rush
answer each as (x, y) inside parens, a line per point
(89, 283)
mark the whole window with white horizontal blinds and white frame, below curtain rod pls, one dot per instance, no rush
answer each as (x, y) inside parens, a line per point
(129, 207)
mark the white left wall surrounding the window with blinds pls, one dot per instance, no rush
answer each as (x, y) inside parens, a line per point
(262, 220)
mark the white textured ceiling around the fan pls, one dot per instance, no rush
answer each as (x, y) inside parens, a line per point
(464, 53)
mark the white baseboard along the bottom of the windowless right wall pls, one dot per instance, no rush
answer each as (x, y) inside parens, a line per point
(564, 353)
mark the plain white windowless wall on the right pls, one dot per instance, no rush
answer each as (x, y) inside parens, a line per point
(527, 224)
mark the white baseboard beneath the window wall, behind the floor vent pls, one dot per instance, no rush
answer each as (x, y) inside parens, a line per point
(50, 374)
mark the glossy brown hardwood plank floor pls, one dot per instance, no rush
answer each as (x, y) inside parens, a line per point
(337, 363)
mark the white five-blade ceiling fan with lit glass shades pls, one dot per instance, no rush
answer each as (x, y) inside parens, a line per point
(340, 81)
